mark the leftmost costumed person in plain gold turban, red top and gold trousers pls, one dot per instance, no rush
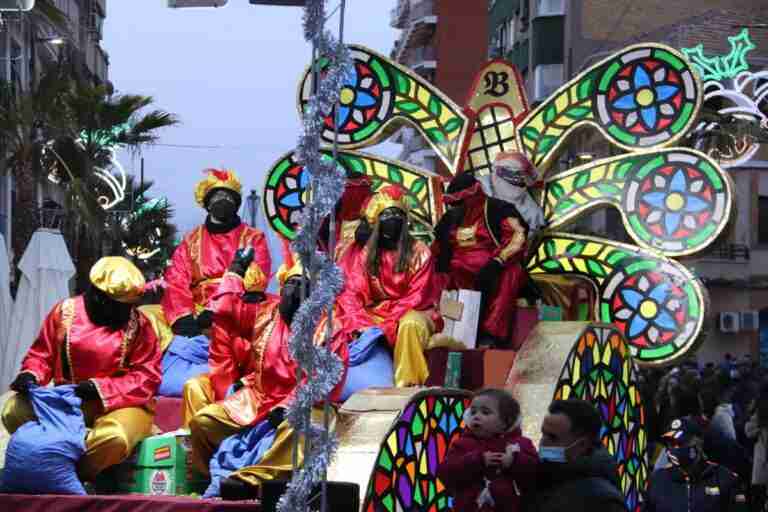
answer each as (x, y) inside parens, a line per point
(103, 344)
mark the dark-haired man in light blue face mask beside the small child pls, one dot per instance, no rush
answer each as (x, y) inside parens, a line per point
(576, 473)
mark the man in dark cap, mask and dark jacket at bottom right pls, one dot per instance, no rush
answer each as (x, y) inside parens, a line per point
(690, 482)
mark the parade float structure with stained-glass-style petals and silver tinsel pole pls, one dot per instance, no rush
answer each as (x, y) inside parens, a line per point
(641, 308)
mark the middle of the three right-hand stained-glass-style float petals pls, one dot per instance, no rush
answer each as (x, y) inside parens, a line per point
(673, 200)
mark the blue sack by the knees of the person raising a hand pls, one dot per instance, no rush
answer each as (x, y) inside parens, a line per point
(246, 448)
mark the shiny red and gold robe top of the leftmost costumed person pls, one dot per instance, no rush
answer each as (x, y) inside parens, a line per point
(124, 364)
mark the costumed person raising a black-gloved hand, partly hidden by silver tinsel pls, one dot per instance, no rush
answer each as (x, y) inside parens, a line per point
(250, 356)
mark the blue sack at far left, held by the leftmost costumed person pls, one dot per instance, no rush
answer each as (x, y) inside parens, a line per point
(42, 455)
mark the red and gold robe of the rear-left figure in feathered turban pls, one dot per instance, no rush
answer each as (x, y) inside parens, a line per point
(200, 261)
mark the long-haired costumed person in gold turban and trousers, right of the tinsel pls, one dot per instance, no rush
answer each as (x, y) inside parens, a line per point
(400, 289)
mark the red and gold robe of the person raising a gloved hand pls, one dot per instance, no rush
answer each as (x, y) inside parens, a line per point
(257, 334)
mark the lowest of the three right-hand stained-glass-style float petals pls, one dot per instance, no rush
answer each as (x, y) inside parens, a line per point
(655, 302)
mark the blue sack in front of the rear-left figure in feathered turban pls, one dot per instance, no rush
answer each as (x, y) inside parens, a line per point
(184, 359)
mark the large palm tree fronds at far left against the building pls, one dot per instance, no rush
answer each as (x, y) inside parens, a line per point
(64, 129)
